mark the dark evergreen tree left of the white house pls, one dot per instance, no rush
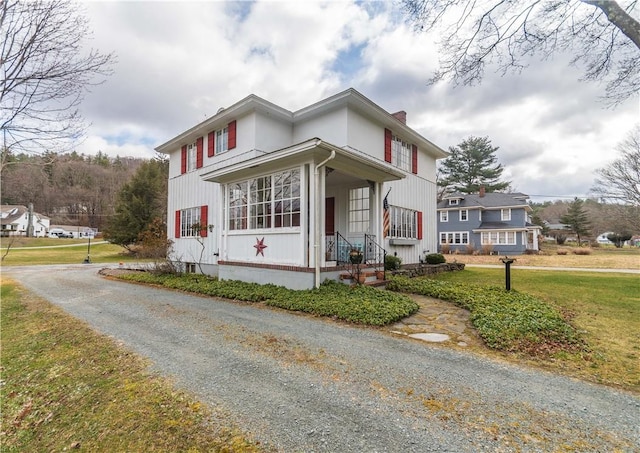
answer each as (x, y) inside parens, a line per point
(140, 202)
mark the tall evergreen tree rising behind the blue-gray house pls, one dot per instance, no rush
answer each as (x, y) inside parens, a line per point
(472, 164)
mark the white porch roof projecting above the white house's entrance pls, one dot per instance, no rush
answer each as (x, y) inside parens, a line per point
(346, 160)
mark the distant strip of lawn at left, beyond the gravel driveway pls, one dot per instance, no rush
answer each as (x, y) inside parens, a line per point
(34, 251)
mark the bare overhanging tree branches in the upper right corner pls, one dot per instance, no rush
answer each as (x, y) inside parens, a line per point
(600, 34)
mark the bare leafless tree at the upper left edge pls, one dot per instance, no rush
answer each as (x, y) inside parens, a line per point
(45, 74)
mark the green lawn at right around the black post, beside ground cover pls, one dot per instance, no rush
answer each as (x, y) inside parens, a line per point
(604, 307)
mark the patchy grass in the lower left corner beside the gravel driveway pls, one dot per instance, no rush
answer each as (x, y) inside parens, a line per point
(65, 387)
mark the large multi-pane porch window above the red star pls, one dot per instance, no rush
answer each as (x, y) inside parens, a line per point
(266, 202)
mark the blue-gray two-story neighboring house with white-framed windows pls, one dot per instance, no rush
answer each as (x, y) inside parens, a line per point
(499, 223)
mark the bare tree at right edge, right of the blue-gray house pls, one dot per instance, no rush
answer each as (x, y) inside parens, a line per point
(619, 182)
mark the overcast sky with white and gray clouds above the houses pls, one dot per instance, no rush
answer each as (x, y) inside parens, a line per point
(178, 63)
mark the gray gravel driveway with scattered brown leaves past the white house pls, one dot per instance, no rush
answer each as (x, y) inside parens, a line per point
(301, 384)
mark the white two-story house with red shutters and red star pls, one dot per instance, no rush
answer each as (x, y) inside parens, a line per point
(259, 193)
